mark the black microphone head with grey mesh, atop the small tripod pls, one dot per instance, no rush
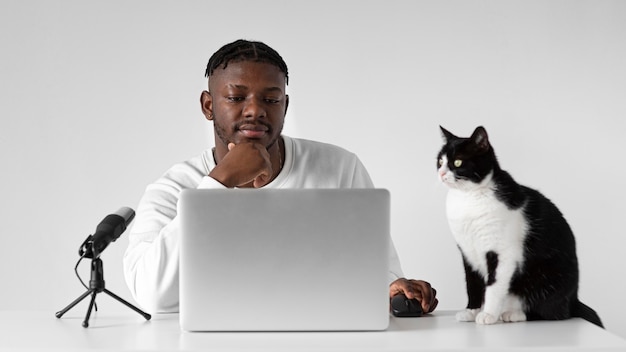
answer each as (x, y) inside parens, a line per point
(107, 231)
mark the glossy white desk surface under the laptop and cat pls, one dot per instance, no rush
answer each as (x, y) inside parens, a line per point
(35, 330)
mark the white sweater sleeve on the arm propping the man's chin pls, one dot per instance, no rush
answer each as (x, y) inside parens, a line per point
(152, 257)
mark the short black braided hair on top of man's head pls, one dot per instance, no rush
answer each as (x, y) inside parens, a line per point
(244, 50)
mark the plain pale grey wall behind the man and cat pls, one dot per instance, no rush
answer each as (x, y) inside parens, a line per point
(97, 99)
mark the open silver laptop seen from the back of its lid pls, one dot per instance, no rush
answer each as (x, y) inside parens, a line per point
(284, 259)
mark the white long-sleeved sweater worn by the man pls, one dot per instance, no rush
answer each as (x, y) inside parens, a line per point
(151, 259)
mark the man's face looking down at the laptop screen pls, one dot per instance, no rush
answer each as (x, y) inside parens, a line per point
(247, 103)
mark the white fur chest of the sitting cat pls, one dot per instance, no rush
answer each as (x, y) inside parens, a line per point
(481, 223)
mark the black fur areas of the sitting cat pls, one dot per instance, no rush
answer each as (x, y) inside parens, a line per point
(547, 281)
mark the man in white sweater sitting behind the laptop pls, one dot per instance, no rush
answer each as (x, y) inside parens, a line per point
(247, 103)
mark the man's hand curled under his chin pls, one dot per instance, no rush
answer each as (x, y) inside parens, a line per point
(244, 163)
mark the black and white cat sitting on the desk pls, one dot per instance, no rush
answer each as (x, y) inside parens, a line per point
(518, 251)
